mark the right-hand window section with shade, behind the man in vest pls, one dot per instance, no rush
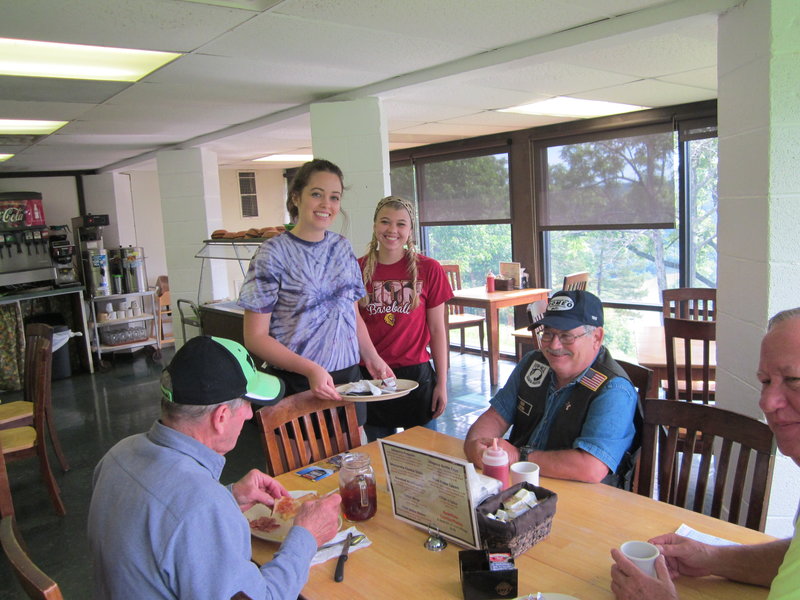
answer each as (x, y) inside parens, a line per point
(612, 207)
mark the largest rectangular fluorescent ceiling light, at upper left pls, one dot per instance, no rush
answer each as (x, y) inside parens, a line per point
(25, 58)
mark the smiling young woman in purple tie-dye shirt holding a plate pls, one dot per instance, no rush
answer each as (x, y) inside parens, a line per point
(301, 291)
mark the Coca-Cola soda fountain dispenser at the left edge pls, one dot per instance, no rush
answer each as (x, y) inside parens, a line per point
(24, 236)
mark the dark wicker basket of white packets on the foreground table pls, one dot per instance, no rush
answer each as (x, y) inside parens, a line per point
(521, 533)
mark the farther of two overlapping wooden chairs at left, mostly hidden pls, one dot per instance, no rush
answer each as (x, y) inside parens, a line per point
(20, 413)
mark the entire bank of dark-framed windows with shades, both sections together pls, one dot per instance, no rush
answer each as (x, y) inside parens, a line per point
(631, 198)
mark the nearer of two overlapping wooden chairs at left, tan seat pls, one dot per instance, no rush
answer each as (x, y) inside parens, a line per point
(24, 442)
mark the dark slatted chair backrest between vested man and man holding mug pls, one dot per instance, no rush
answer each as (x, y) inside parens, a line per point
(741, 444)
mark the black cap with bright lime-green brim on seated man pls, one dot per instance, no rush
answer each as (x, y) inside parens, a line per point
(210, 370)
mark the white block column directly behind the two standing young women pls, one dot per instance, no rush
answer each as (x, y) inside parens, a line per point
(353, 134)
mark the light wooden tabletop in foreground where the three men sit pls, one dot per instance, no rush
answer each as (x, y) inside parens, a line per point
(574, 559)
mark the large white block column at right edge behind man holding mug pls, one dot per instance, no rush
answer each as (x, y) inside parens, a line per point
(759, 205)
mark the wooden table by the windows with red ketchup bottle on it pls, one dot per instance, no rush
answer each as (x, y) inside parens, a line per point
(492, 302)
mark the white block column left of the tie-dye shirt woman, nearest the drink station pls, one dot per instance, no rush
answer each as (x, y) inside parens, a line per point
(191, 210)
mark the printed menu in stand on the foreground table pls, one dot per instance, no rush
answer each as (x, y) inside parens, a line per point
(432, 491)
